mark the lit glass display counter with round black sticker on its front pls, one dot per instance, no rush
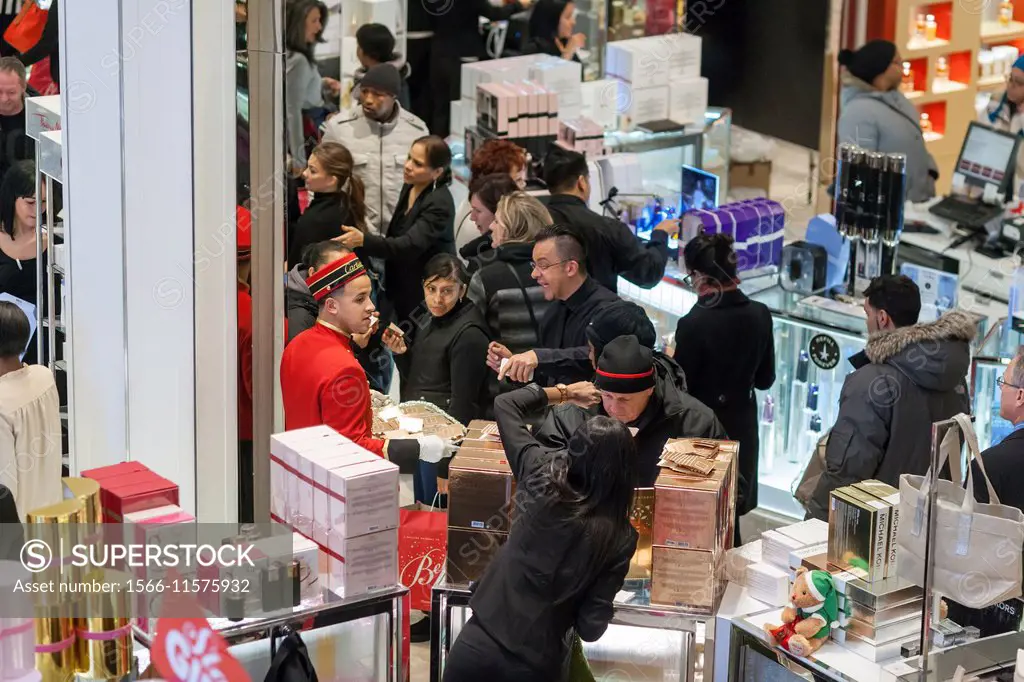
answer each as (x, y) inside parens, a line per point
(814, 342)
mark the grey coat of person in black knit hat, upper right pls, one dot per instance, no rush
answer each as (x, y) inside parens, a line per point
(887, 122)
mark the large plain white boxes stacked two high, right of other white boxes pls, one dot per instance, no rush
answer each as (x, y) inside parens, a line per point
(659, 79)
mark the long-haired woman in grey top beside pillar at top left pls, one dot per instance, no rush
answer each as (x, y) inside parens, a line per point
(305, 23)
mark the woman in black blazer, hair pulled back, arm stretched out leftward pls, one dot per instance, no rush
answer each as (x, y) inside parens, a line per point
(421, 228)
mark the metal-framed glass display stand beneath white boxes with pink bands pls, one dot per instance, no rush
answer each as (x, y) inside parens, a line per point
(327, 631)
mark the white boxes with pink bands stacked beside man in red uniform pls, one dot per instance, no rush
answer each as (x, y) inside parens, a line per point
(346, 500)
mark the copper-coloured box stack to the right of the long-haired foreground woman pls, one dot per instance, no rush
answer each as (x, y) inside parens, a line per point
(694, 527)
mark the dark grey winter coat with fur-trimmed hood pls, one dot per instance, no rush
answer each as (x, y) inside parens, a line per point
(915, 377)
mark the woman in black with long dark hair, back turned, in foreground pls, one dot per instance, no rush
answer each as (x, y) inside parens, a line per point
(568, 553)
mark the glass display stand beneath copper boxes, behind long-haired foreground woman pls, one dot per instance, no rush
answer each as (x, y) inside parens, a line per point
(644, 642)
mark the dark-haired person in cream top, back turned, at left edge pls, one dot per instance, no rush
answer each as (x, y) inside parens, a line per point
(30, 420)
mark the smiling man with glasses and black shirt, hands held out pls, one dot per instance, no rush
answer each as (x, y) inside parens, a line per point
(564, 357)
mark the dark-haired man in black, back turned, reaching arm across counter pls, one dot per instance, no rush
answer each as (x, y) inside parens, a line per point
(612, 249)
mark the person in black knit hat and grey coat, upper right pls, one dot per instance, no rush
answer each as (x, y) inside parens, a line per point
(876, 116)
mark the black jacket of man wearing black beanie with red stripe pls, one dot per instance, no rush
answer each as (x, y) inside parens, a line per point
(672, 413)
